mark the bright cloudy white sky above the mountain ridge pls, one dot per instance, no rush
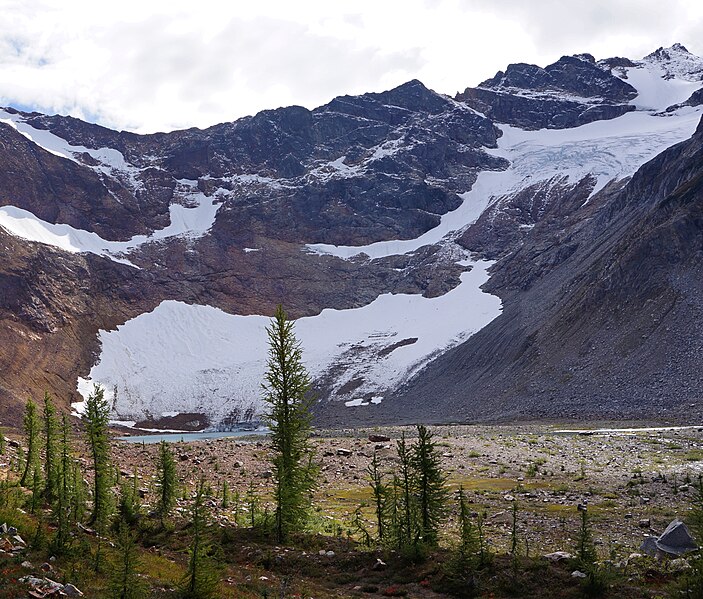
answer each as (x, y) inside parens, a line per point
(154, 65)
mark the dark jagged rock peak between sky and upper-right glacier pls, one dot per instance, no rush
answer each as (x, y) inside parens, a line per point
(573, 91)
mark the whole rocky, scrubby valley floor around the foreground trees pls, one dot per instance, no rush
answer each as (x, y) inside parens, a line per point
(632, 484)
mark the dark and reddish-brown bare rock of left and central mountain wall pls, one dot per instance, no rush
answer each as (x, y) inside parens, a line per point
(359, 169)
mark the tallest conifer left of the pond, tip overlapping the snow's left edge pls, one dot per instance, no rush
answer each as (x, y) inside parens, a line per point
(97, 420)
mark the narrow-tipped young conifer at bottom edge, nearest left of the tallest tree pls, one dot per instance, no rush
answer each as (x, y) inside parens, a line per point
(201, 580)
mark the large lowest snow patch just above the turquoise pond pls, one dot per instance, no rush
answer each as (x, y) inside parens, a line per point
(190, 358)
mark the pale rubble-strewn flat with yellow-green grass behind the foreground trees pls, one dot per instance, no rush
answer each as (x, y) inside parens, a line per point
(633, 483)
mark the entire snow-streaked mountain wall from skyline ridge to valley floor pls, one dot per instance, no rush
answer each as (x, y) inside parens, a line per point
(381, 210)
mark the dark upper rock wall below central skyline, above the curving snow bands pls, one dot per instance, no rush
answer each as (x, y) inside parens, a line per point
(351, 172)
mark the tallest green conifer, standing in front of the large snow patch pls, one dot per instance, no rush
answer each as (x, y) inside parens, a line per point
(286, 391)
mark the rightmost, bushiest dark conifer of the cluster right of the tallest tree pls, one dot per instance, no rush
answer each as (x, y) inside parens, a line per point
(430, 480)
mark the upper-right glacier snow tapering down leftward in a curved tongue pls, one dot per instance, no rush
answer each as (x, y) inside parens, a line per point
(608, 150)
